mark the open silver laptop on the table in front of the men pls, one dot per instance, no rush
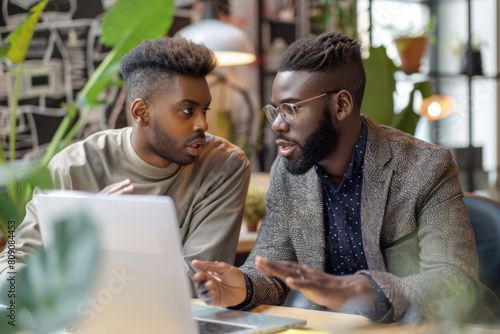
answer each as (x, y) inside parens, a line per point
(141, 286)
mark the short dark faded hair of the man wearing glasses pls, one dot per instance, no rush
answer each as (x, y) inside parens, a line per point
(335, 57)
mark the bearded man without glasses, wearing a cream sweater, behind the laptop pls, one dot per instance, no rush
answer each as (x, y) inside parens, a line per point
(165, 152)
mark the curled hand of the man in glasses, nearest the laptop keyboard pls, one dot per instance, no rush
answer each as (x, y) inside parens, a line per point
(220, 284)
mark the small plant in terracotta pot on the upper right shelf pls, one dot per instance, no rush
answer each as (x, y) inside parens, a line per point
(412, 45)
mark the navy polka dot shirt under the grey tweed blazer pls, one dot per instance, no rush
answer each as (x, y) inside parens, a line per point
(344, 243)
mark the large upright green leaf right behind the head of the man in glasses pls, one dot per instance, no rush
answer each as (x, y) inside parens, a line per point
(378, 103)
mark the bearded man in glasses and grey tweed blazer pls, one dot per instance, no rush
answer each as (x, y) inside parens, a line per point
(359, 216)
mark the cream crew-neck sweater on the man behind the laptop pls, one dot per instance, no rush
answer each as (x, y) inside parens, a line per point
(209, 194)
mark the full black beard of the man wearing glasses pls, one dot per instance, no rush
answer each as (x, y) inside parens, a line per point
(318, 145)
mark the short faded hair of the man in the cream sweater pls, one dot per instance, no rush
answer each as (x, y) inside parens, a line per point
(150, 68)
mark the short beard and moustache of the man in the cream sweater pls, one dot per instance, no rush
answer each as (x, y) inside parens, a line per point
(166, 147)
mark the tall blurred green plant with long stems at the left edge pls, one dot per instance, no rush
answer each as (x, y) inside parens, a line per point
(125, 25)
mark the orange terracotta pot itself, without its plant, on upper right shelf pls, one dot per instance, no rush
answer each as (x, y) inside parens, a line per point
(410, 52)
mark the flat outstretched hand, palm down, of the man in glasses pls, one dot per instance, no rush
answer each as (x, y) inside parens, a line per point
(334, 292)
